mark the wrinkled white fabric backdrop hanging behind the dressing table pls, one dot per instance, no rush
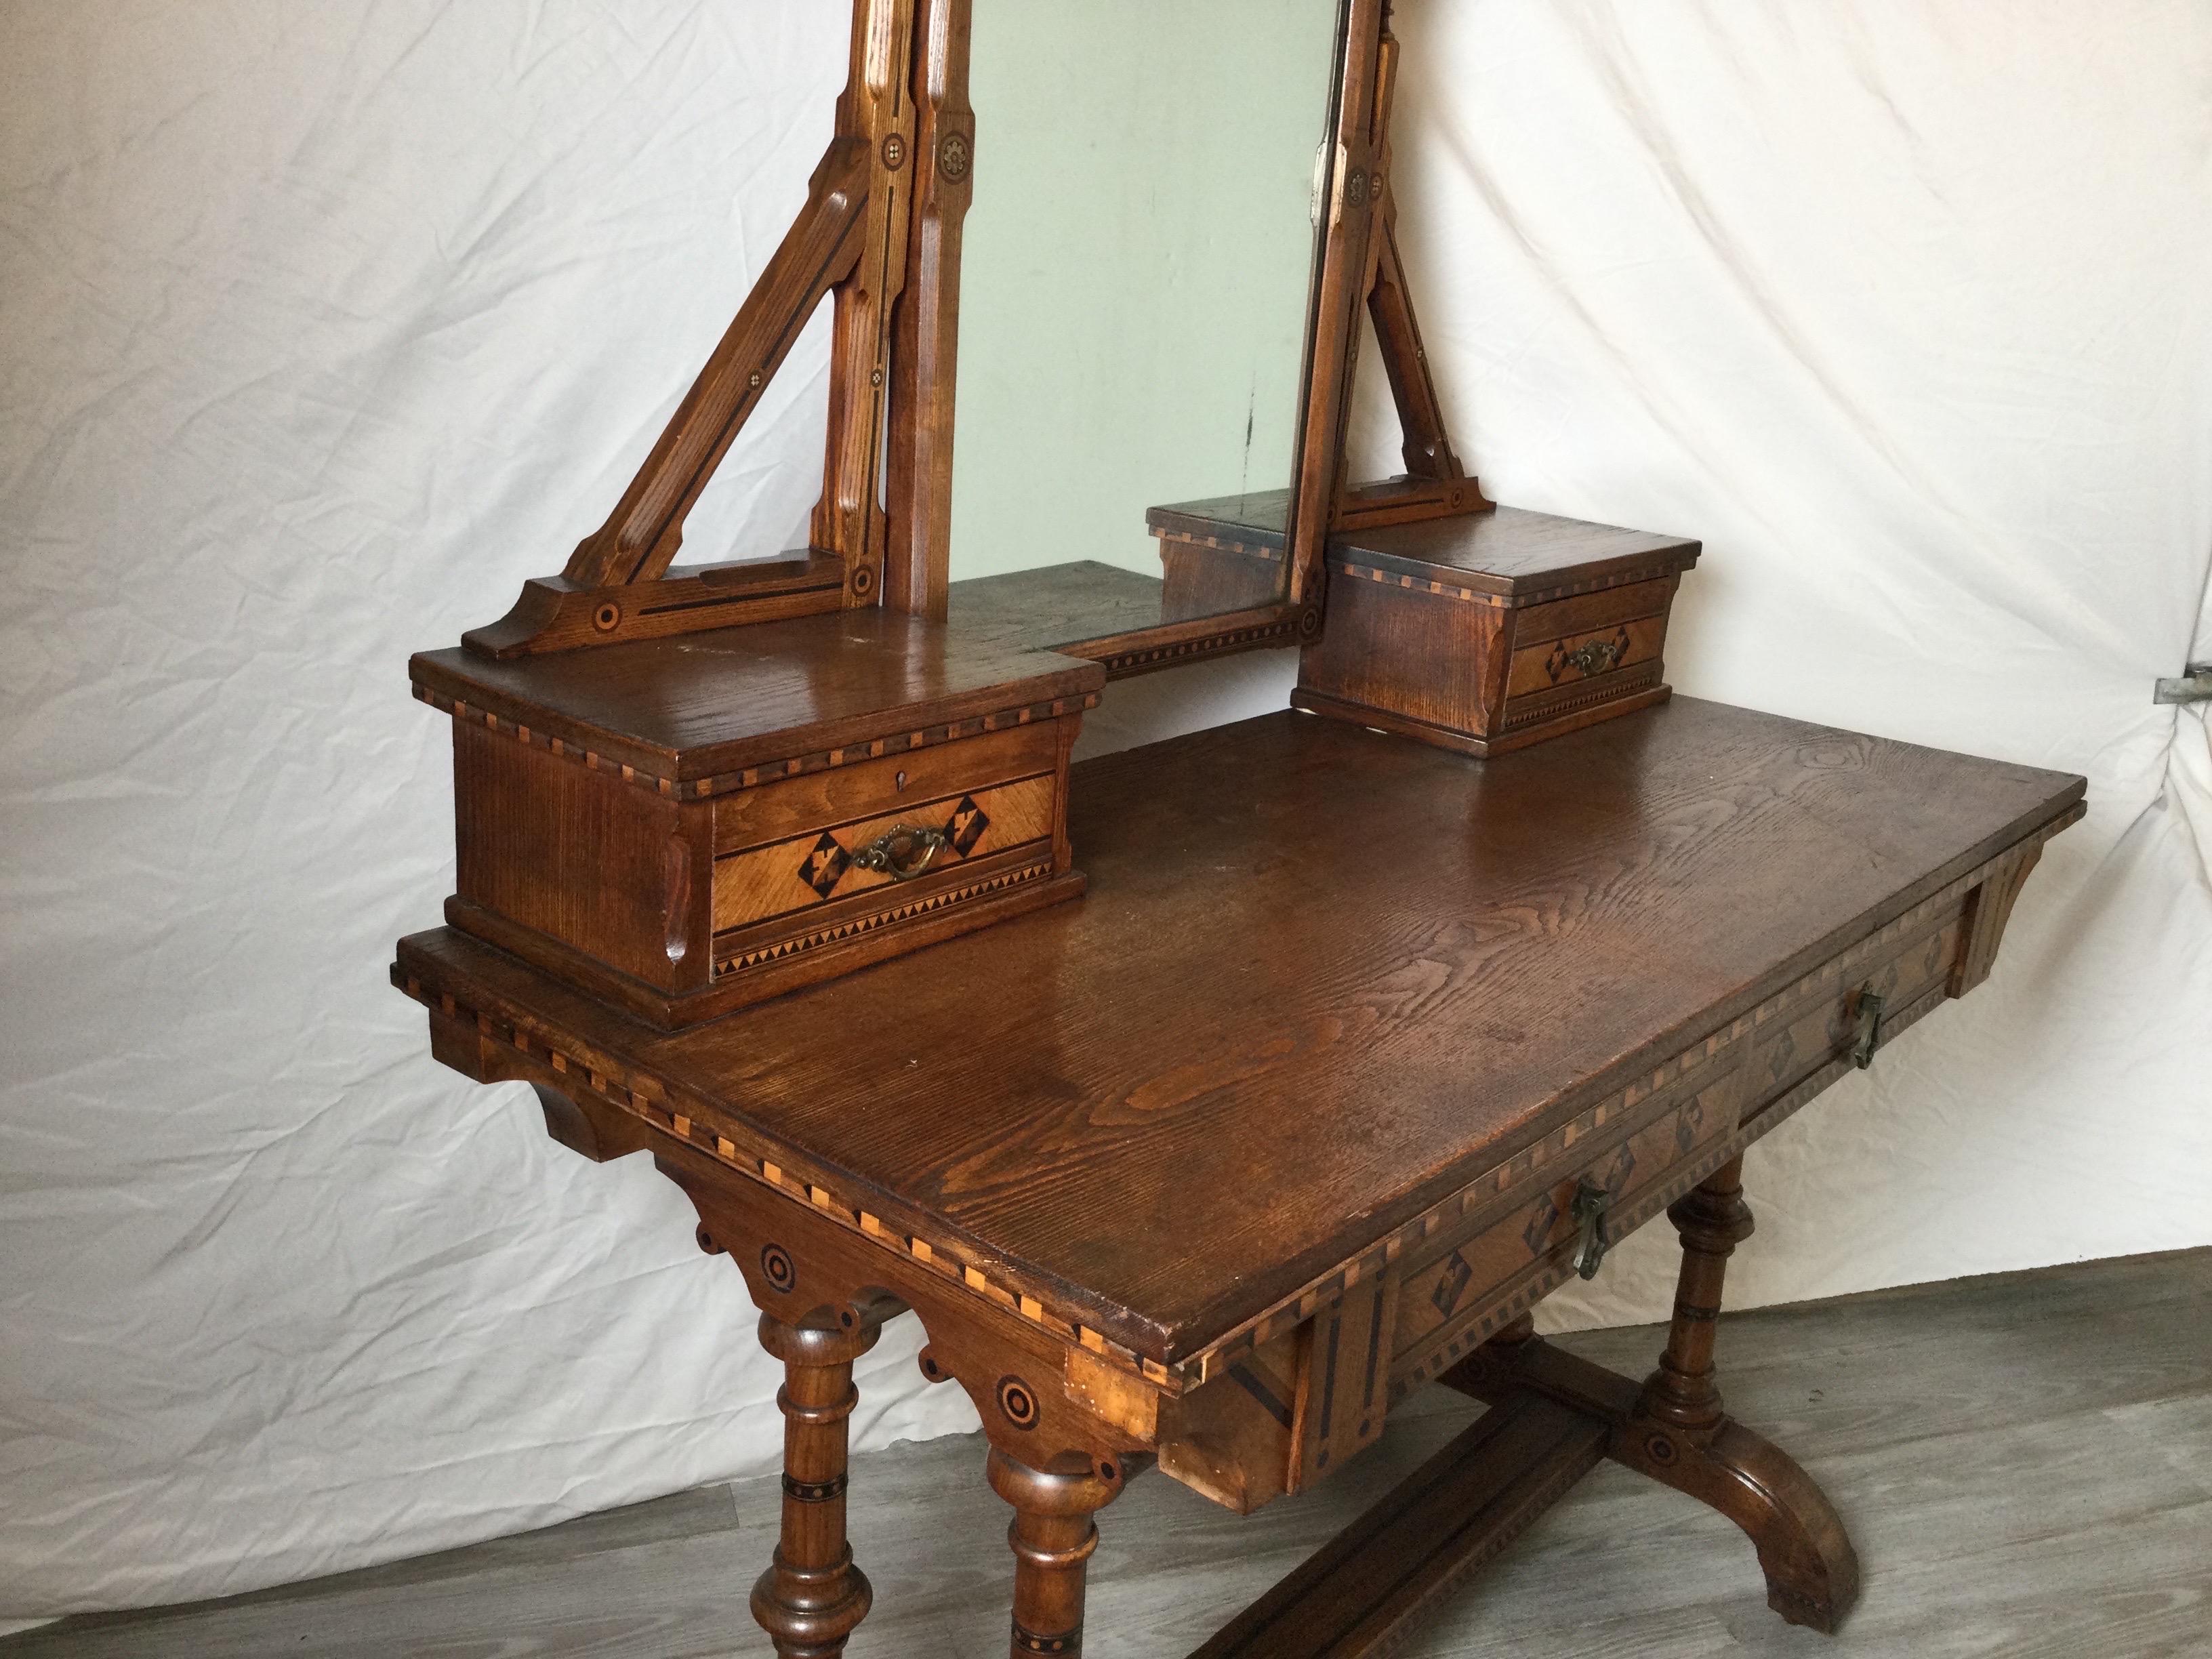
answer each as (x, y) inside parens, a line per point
(322, 326)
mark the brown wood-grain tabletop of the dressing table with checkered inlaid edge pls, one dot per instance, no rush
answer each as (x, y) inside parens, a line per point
(1319, 981)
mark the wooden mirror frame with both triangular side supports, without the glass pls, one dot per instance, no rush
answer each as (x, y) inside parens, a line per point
(881, 238)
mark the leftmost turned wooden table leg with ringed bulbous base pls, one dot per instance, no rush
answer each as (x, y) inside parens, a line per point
(813, 1598)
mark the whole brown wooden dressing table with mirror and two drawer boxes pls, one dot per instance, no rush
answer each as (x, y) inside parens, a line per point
(1209, 1098)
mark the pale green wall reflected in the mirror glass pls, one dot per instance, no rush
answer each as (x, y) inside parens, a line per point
(1138, 267)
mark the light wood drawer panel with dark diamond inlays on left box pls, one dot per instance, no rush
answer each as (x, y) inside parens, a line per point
(817, 868)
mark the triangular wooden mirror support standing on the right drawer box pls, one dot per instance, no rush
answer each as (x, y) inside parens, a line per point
(1361, 269)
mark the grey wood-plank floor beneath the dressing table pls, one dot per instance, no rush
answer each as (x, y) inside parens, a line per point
(2025, 1465)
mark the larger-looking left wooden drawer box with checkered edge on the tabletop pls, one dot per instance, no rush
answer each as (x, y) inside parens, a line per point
(691, 826)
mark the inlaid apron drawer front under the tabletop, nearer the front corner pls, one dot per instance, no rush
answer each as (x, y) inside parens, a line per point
(1450, 1291)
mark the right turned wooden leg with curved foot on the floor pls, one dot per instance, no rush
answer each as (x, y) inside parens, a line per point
(1680, 1437)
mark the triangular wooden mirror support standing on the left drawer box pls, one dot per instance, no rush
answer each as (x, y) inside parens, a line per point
(853, 247)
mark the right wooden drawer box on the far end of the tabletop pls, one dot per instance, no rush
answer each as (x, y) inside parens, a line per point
(1494, 632)
